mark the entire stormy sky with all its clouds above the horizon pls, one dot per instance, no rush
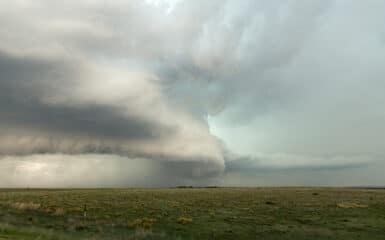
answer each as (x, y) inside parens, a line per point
(160, 93)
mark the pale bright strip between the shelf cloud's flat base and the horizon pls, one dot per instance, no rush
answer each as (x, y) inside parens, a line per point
(95, 170)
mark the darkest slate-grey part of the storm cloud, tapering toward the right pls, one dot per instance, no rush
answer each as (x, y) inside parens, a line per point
(24, 79)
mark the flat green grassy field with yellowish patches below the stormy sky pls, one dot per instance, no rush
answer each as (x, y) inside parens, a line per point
(206, 213)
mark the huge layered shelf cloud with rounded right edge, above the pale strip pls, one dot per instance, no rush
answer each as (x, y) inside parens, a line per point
(59, 104)
